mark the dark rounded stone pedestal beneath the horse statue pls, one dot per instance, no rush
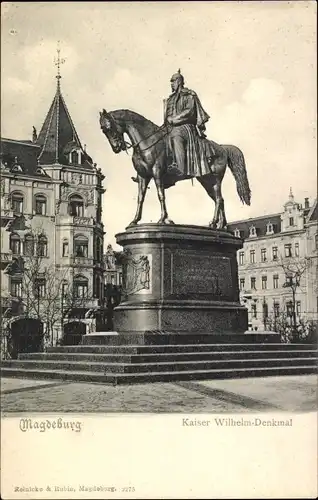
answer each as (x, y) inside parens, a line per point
(180, 280)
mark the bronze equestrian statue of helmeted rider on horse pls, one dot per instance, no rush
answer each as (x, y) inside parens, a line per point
(175, 151)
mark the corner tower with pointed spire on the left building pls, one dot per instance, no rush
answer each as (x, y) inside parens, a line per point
(77, 207)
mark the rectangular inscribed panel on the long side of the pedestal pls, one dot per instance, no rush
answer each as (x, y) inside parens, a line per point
(200, 274)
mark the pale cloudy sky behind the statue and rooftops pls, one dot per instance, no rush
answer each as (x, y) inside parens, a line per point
(252, 64)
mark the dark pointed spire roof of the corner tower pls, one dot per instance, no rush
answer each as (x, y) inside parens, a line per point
(58, 135)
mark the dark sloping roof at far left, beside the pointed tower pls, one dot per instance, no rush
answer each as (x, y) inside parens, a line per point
(21, 157)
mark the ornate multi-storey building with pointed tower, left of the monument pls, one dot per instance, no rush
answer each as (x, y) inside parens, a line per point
(52, 267)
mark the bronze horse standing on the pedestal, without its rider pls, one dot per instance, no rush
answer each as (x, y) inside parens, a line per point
(151, 158)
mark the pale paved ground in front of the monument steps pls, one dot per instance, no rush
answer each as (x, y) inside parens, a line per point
(290, 393)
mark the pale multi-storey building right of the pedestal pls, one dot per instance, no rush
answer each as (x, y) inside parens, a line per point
(278, 264)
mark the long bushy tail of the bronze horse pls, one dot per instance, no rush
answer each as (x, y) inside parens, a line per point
(236, 162)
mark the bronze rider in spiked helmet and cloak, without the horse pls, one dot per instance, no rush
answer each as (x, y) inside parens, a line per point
(185, 114)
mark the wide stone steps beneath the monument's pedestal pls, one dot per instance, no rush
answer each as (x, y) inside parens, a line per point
(120, 363)
